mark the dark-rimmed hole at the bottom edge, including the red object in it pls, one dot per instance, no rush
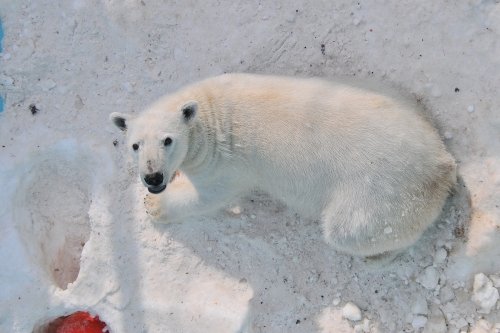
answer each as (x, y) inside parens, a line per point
(78, 322)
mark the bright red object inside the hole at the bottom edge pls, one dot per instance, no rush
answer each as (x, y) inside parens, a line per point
(81, 322)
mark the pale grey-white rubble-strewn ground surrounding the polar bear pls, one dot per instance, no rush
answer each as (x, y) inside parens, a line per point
(74, 232)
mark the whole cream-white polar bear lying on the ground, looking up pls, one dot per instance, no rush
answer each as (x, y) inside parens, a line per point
(365, 163)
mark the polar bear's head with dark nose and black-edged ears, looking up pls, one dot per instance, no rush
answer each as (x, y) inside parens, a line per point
(159, 138)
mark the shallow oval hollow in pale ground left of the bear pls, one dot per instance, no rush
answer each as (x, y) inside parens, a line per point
(51, 210)
